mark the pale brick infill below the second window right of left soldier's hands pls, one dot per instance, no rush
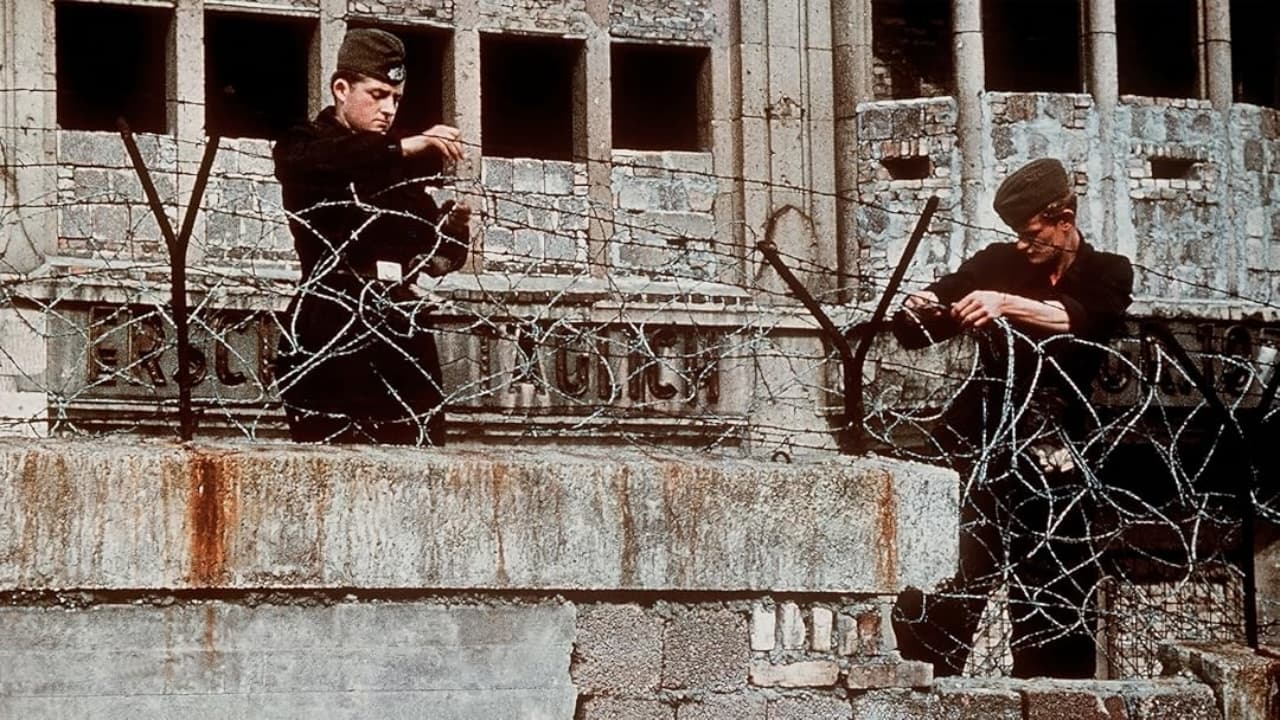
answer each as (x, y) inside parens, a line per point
(664, 216)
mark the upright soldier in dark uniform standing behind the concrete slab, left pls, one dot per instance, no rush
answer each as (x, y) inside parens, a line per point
(358, 362)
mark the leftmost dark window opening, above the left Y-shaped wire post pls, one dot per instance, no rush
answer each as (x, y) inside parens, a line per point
(112, 65)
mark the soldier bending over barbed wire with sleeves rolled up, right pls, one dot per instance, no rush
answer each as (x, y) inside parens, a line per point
(1012, 430)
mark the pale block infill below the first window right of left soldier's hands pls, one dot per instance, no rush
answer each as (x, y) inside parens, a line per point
(536, 215)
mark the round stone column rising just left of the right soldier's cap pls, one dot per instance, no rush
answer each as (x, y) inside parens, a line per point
(971, 81)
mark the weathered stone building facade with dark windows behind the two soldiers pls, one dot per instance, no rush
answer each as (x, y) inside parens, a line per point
(820, 126)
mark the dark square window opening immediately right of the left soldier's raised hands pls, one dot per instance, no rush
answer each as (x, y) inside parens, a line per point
(527, 88)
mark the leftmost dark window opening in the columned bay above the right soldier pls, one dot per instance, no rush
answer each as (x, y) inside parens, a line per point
(912, 43)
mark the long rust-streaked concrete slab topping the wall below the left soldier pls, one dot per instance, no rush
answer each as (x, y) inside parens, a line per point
(139, 516)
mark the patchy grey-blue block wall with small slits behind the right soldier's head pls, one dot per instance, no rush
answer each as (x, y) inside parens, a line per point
(1192, 199)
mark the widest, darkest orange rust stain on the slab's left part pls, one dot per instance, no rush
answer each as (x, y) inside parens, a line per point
(212, 513)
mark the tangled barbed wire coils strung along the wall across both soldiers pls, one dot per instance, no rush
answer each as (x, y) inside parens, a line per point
(696, 347)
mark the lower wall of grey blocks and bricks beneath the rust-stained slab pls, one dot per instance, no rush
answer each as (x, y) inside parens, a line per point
(317, 655)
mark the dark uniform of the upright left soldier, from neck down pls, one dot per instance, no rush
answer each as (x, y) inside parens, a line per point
(354, 345)
